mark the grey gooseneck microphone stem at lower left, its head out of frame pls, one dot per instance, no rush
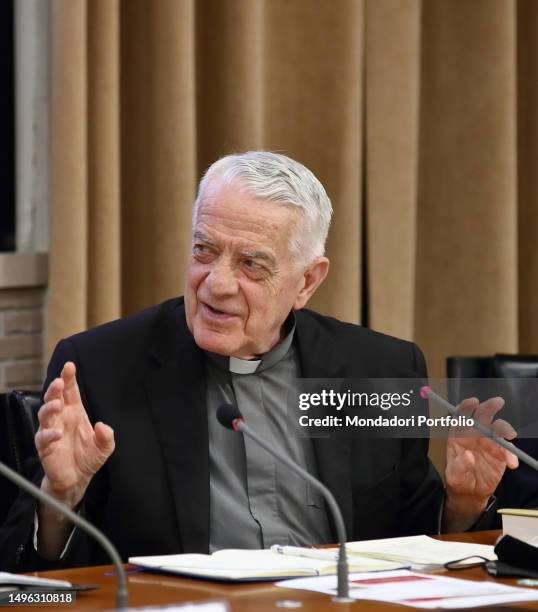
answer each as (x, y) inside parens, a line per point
(36, 492)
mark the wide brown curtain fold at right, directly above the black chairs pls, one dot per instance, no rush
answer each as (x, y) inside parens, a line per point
(466, 258)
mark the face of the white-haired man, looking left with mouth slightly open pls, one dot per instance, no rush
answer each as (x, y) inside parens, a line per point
(242, 280)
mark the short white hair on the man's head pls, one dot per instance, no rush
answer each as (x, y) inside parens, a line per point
(276, 178)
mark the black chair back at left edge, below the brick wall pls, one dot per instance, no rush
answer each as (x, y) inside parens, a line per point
(18, 424)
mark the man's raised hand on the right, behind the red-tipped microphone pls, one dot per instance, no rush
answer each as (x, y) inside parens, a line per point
(475, 464)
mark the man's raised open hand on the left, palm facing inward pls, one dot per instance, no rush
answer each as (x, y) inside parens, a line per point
(70, 449)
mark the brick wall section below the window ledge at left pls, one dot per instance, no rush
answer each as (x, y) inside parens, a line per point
(21, 338)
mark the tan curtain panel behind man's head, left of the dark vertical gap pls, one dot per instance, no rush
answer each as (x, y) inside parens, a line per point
(147, 93)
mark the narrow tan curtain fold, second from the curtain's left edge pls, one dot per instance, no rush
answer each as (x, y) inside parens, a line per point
(104, 190)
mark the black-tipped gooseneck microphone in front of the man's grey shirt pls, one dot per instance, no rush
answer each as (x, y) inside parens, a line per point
(230, 417)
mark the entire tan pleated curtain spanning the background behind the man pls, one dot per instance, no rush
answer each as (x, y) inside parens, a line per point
(418, 116)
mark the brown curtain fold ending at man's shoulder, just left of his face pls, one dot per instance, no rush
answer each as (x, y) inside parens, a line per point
(158, 148)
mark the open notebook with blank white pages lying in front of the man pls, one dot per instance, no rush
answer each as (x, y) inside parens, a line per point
(248, 565)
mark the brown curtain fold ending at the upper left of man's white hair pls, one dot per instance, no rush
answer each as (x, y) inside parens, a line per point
(229, 77)
